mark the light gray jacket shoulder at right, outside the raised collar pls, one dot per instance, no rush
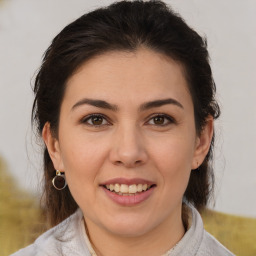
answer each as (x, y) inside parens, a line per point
(211, 247)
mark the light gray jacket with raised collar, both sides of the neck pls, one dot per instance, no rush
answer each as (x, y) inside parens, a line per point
(69, 239)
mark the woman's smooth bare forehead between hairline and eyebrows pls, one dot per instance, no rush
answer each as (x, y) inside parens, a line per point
(138, 76)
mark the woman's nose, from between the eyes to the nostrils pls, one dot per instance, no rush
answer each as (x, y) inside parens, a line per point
(128, 148)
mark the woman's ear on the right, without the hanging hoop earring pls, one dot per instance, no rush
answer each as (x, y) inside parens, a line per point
(203, 143)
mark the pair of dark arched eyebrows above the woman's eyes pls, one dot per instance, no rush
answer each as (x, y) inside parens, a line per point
(145, 106)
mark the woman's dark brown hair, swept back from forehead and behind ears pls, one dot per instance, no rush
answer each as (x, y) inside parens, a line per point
(123, 26)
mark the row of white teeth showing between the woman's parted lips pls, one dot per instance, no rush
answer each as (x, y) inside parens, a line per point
(128, 190)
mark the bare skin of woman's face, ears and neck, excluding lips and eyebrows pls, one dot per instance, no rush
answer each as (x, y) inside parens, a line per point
(129, 143)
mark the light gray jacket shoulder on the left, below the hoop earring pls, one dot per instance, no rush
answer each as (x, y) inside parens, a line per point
(63, 239)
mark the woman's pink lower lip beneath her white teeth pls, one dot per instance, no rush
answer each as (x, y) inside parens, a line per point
(129, 200)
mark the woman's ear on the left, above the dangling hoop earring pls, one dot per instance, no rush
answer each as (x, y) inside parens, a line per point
(53, 147)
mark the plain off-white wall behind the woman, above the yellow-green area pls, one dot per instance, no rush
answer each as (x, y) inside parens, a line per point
(26, 30)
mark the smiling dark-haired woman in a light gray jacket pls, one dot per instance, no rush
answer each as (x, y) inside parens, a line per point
(124, 102)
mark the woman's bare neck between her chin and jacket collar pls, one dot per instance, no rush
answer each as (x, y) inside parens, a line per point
(155, 242)
